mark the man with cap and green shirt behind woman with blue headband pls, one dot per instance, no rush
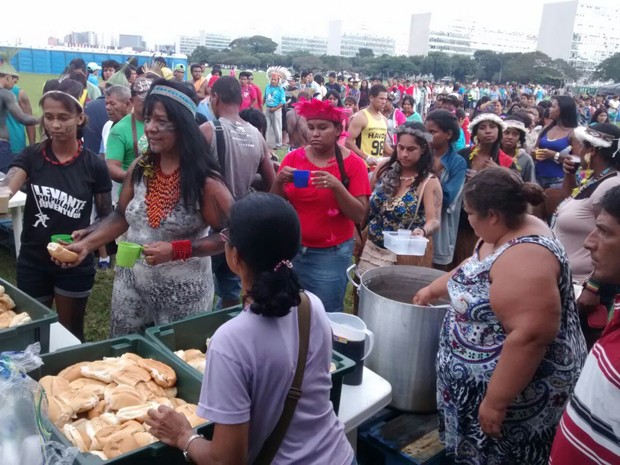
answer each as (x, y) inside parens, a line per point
(126, 139)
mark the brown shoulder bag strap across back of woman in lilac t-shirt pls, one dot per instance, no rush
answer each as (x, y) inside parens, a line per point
(273, 442)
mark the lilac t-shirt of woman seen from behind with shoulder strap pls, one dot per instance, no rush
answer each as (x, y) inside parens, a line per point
(250, 366)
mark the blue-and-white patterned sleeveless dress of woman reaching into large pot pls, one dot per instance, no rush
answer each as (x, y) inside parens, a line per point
(470, 345)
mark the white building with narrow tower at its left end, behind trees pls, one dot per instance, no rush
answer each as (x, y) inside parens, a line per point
(464, 38)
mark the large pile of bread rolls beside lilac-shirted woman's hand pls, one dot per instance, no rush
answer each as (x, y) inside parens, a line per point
(101, 406)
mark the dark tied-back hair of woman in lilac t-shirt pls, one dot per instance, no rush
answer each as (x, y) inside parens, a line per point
(253, 219)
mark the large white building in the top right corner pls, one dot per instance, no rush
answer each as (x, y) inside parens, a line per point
(582, 32)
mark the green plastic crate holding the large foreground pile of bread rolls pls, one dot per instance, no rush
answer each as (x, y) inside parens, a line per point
(188, 385)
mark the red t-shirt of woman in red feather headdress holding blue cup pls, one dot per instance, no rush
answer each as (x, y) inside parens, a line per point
(322, 223)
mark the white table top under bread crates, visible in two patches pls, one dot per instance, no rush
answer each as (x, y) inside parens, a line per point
(357, 403)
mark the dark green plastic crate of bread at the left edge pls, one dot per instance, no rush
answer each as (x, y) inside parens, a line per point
(38, 330)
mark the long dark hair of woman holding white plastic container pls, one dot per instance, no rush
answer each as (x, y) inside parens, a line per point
(391, 170)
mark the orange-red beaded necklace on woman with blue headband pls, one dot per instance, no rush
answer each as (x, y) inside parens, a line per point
(162, 195)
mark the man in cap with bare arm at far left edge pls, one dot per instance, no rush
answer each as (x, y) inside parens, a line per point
(9, 106)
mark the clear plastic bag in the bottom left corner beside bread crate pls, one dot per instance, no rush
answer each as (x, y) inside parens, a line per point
(24, 439)
